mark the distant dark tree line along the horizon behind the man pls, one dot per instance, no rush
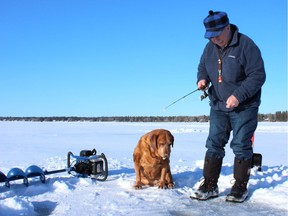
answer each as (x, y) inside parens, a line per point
(276, 117)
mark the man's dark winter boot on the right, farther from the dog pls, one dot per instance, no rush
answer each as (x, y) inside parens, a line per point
(239, 190)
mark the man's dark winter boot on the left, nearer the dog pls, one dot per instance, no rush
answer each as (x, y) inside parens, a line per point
(211, 172)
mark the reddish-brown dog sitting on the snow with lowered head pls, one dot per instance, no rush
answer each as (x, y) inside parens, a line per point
(152, 159)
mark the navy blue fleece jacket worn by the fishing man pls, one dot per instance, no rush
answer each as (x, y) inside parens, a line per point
(243, 72)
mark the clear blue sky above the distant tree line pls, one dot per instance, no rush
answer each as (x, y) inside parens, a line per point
(124, 57)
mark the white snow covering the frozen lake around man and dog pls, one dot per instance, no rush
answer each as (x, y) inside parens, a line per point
(46, 145)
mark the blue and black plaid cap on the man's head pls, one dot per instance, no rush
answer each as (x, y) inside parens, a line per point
(214, 23)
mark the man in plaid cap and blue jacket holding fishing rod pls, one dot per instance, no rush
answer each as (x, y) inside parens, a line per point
(232, 69)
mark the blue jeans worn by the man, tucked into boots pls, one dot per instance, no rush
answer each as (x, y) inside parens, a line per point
(243, 123)
